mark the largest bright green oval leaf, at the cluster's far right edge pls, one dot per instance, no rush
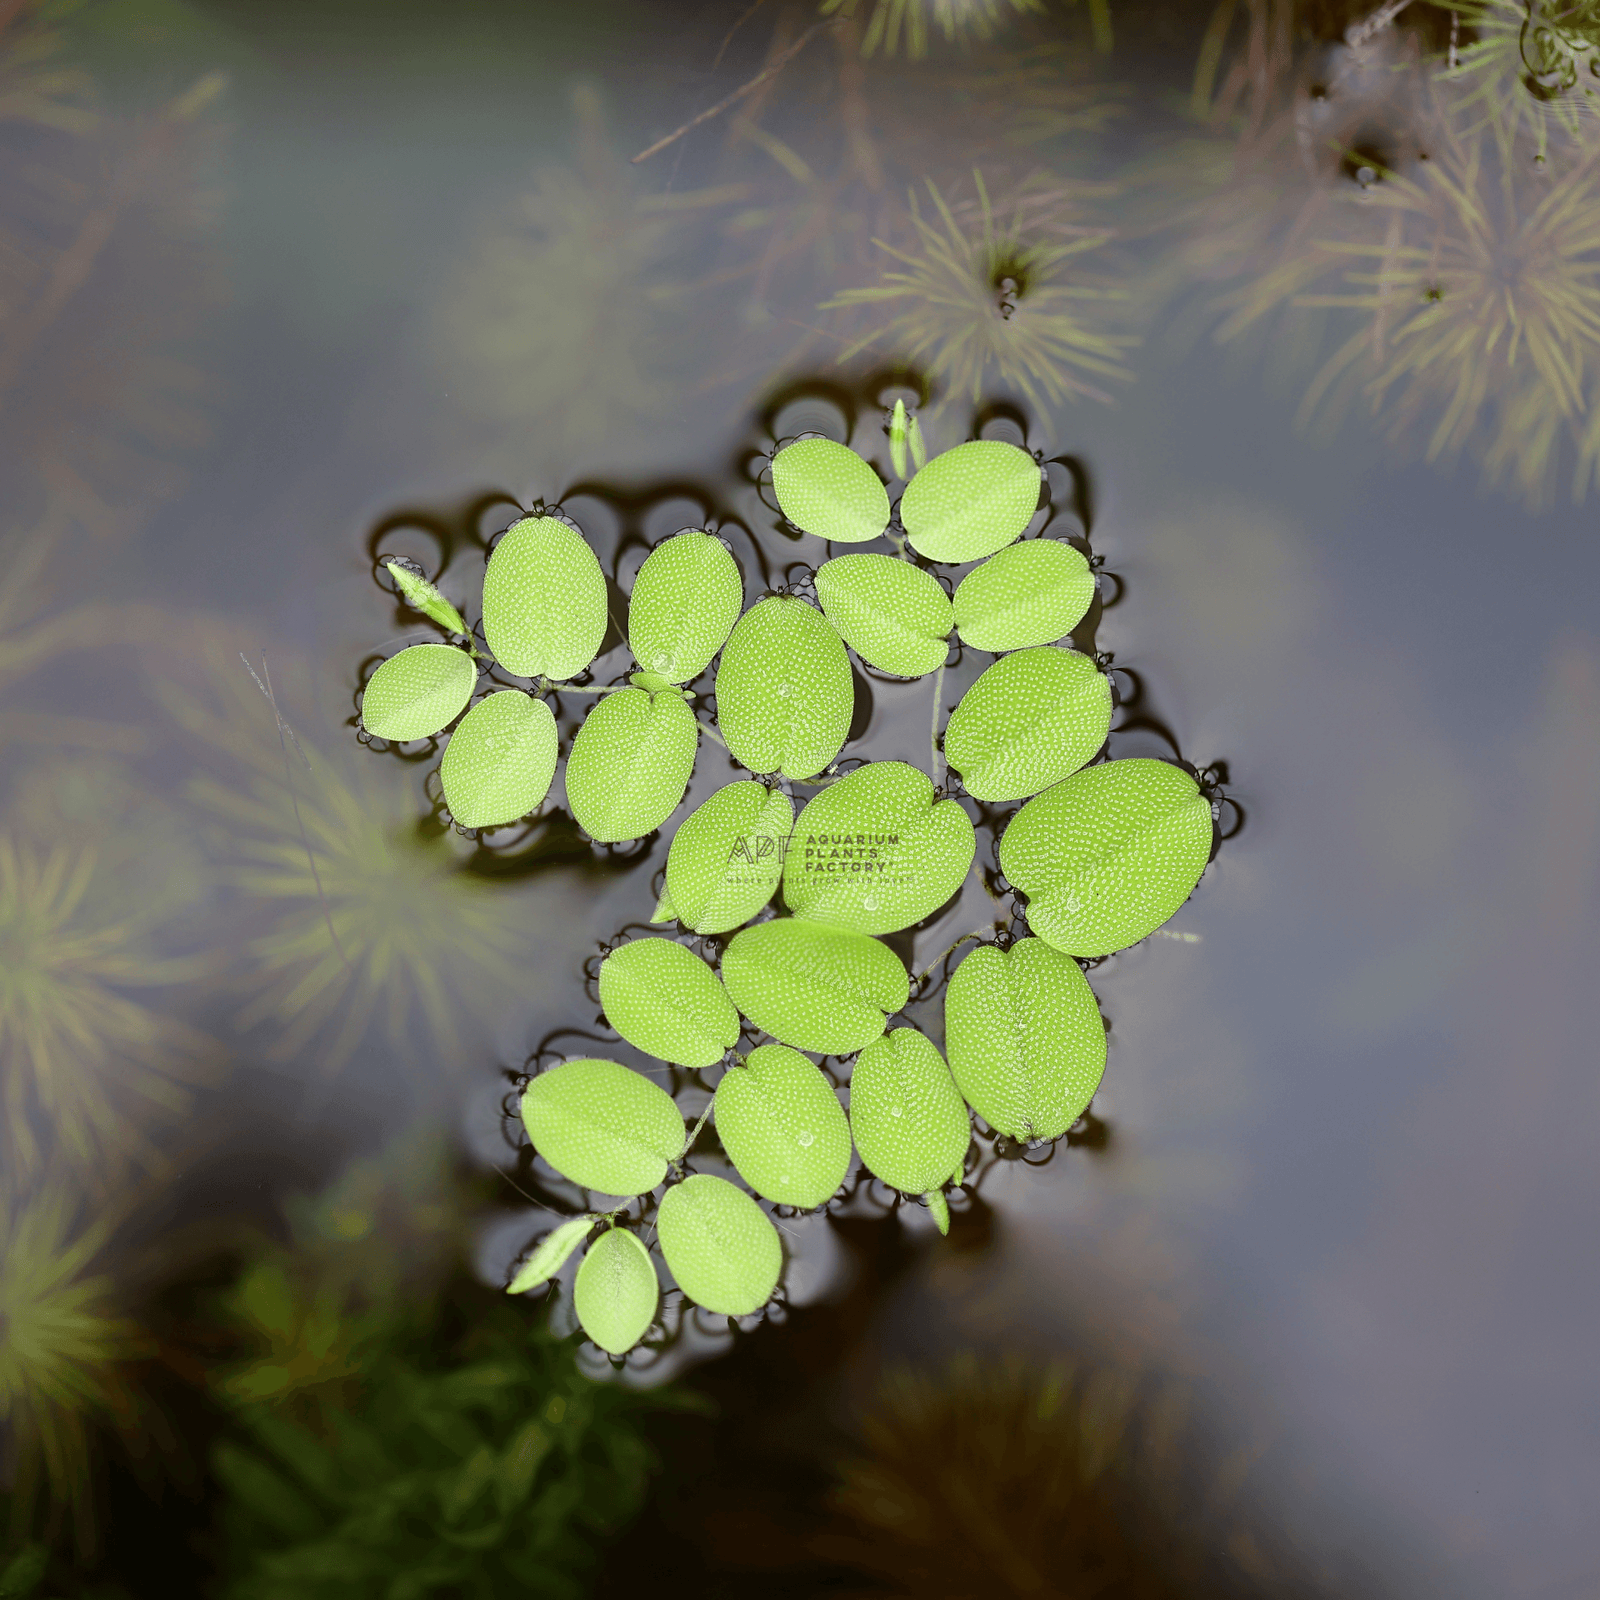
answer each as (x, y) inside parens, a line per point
(1110, 855)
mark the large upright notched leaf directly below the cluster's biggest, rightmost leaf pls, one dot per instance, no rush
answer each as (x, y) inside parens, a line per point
(1026, 1039)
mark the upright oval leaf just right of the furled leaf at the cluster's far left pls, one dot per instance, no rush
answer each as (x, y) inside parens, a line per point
(545, 606)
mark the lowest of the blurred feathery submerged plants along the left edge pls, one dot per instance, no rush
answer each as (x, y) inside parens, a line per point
(63, 1343)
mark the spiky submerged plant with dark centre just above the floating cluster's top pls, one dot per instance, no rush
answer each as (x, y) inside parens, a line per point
(982, 305)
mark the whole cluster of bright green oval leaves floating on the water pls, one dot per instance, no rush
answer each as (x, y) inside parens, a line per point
(1103, 852)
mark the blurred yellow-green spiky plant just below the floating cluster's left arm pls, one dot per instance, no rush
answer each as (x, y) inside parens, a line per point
(364, 916)
